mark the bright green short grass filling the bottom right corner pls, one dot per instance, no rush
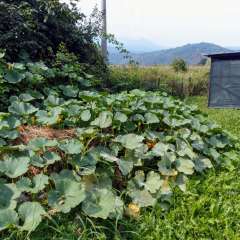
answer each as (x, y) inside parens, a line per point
(210, 210)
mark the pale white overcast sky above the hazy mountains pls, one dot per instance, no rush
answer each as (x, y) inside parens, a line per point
(172, 23)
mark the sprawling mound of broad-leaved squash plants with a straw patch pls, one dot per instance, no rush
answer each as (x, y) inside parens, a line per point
(105, 154)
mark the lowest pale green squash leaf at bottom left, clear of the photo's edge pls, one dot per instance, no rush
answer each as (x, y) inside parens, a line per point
(31, 214)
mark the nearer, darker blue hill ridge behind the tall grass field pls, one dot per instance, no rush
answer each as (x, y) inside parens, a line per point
(191, 53)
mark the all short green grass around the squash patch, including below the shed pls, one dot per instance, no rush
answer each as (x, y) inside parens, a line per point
(210, 210)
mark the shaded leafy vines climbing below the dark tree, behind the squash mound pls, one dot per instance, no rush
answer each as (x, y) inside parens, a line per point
(16, 78)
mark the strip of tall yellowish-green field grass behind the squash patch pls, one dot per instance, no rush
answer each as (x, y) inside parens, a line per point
(192, 83)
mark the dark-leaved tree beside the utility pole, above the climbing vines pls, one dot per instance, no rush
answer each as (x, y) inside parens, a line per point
(36, 28)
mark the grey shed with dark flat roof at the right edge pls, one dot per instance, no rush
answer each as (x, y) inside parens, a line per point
(224, 88)
